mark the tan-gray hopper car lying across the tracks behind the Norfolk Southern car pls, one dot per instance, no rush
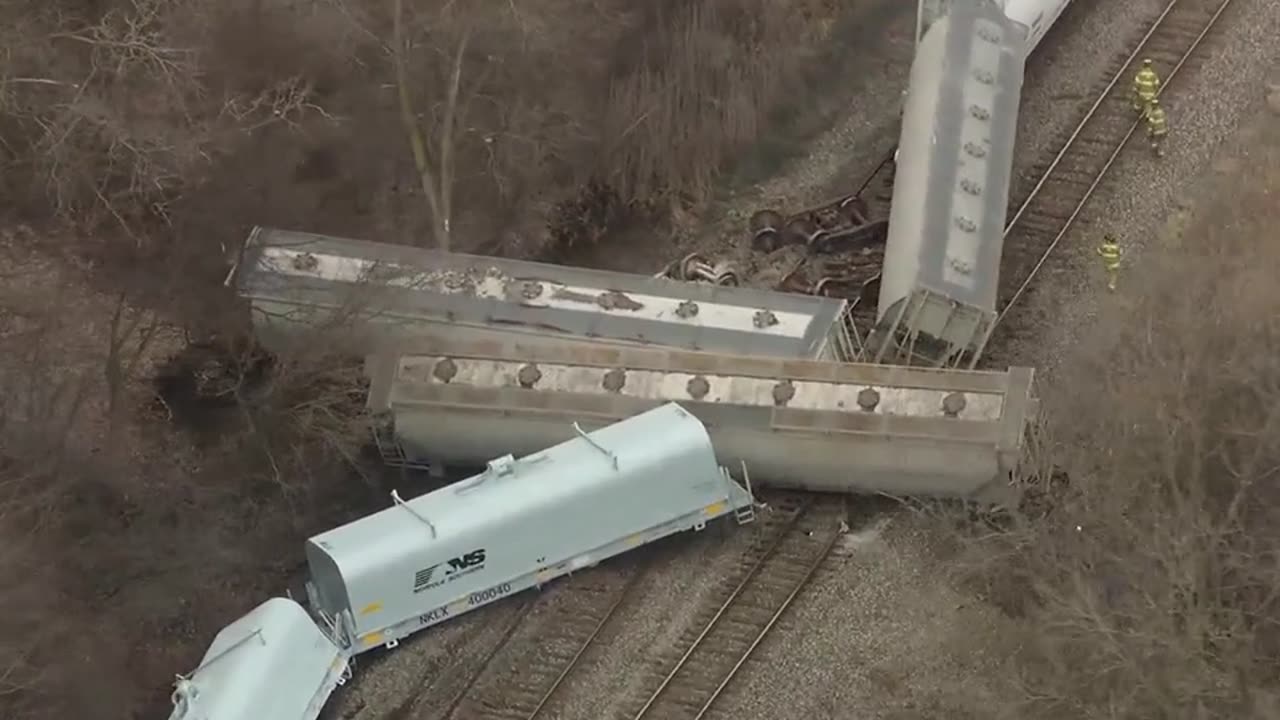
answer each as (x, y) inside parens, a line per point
(465, 402)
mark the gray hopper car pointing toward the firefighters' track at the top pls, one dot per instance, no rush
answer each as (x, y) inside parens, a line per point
(952, 185)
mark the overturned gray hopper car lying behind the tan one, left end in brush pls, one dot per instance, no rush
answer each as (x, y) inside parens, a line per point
(360, 294)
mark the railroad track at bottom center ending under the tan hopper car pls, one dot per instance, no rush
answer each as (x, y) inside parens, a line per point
(775, 575)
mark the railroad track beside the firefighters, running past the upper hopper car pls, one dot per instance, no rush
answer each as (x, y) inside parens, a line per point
(1044, 218)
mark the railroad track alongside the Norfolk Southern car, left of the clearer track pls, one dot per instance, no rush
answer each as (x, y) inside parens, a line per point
(582, 610)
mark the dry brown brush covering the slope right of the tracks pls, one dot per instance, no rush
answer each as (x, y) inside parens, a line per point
(1153, 587)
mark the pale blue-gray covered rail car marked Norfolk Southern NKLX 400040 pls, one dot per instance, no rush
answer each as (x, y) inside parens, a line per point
(519, 525)
